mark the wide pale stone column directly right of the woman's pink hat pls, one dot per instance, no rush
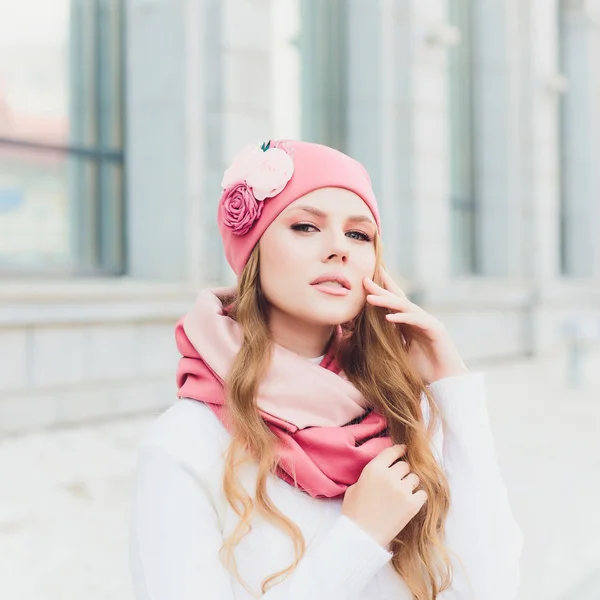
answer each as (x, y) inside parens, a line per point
(397, 124)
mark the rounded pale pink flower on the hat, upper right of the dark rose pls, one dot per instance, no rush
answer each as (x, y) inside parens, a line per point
(269, 173)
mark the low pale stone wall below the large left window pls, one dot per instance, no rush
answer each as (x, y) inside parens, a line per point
(93, 352)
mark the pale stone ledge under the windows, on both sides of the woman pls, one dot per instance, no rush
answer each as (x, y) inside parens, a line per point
(120, 300)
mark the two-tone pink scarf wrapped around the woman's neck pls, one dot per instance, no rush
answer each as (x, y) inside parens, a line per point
(308, 406)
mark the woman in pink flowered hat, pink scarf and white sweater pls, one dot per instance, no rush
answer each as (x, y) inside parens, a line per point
(306, 457)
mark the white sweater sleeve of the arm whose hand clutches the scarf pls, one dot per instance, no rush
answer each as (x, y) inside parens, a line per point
(175, 539)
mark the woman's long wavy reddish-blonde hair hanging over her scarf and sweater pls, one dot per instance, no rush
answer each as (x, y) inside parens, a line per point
(374, 357)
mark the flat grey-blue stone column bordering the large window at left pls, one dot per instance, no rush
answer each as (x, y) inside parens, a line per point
(156, 140)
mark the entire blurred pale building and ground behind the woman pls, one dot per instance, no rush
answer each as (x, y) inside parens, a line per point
(479, 122)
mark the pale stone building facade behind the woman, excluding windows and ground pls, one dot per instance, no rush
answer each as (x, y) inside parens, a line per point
(200, 84)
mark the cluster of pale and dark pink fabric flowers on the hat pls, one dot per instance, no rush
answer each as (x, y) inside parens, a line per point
(255, 174)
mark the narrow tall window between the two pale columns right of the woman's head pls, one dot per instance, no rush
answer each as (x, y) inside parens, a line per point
(462, 192)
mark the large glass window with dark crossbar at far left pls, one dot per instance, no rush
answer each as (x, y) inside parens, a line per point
(61, 137)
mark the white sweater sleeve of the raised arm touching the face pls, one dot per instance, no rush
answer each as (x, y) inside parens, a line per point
(480, 528)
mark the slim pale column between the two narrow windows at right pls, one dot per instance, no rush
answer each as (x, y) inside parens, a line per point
(497, 135)
